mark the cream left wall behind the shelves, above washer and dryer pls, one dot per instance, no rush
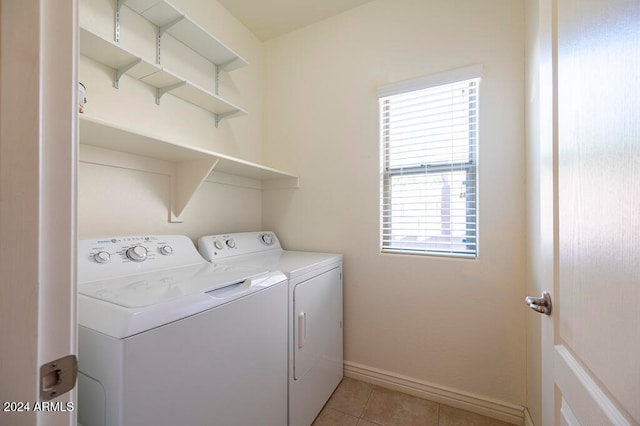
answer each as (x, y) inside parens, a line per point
(120, 194)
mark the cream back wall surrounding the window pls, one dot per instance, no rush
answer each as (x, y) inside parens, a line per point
(450, 328)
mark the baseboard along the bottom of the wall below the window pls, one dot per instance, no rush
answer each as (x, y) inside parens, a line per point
(499, 410)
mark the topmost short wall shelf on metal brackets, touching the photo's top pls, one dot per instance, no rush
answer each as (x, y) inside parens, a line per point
(170, 20)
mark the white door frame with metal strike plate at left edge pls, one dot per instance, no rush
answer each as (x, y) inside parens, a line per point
(37, 204)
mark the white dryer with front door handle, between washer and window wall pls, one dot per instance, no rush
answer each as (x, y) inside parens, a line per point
(315, 312)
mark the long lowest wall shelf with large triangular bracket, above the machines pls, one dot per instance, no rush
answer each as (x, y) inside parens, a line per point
(191, 165)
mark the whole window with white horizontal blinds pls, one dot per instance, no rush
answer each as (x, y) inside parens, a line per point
(429, 181)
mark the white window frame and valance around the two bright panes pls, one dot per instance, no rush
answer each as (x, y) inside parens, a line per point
(470, 167)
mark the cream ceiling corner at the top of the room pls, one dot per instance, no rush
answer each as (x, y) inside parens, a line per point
(270, 18)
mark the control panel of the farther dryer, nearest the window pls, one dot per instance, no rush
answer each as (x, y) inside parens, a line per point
(228, 245)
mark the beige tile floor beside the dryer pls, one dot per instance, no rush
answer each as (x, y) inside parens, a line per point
(356, 403)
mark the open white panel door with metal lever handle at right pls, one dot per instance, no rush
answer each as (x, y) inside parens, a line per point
(591, 359)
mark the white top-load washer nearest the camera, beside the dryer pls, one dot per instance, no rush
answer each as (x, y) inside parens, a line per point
(166, 338)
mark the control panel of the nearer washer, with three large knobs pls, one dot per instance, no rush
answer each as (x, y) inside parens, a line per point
(117, 256)
